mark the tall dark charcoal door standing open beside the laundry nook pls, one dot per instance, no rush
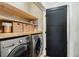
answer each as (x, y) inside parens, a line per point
(56, 31)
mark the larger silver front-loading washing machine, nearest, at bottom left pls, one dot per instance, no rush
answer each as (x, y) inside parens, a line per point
(16, 47)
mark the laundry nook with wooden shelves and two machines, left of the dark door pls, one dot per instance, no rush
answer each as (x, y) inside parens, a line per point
(21, 29)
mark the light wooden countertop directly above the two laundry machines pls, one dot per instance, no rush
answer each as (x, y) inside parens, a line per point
(9, 35)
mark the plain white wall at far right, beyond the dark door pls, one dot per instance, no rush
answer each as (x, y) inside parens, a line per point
(74, 30)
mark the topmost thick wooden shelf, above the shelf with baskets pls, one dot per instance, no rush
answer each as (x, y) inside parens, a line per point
(15, 11)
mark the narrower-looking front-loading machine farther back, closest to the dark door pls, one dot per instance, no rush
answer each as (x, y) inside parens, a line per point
(37, 45)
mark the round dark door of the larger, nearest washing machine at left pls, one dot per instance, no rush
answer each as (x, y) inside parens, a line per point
(19, 51)
